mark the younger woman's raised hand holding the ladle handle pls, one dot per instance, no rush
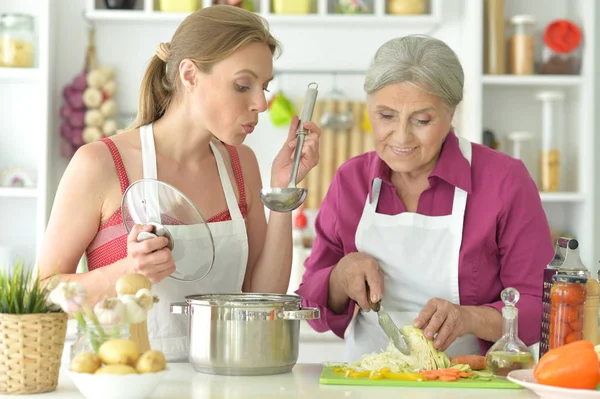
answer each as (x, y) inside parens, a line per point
(282, 165)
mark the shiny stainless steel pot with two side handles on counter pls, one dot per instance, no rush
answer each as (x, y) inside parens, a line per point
(243, 334)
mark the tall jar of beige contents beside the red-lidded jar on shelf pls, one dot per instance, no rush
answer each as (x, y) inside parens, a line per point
(521, 45)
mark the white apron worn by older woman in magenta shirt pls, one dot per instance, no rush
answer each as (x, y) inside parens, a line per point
(418, 255)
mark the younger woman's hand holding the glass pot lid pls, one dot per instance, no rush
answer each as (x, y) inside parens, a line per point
(151, 258)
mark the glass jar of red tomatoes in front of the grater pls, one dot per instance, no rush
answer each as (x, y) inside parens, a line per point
(567, 298)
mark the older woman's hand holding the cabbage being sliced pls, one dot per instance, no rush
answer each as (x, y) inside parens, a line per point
(448, 320)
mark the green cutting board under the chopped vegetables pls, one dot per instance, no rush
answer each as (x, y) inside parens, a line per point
(329, 377)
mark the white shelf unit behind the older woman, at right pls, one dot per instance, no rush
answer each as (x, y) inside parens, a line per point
(505, 103)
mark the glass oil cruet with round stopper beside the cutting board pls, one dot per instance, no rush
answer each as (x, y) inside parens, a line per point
(509, 352)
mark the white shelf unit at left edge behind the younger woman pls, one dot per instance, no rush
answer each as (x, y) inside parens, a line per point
(25, 134)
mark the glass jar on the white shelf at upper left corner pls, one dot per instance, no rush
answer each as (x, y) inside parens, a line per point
(16, 41)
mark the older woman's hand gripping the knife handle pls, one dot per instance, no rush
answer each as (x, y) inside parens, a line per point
(350, 277)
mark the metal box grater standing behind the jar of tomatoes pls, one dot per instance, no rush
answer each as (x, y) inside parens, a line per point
(566, 263)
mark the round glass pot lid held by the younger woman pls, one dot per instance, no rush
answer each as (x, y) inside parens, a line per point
(156, 203)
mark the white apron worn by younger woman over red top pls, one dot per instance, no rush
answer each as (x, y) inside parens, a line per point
(168, 332)
